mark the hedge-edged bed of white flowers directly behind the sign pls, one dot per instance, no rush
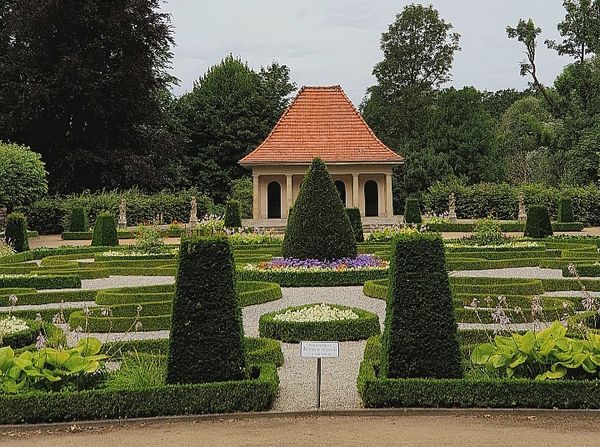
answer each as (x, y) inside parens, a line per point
(319, 322)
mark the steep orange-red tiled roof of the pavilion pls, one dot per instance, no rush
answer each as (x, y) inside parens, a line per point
(321, 122)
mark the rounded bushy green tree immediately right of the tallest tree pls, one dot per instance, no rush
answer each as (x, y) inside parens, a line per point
(460, 127)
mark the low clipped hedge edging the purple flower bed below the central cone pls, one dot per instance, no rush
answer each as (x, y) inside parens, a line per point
(313, 278)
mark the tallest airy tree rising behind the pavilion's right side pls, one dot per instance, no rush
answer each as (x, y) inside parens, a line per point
(418, 52)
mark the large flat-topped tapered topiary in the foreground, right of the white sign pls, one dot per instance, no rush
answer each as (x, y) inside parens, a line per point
(420, 335)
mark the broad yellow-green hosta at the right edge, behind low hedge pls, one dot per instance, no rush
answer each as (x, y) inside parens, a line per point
(545, 355)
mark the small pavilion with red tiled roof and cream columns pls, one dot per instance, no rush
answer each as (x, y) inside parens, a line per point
(322, 122)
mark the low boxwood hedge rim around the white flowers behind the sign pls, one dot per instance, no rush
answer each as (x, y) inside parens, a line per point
(341, 330)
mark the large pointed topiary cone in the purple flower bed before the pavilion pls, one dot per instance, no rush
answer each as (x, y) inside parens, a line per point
(318, 226)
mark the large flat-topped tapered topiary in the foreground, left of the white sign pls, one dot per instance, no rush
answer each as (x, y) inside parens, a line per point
(206, 335)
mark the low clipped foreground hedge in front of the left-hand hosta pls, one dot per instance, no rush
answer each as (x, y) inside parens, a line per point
(168, 400)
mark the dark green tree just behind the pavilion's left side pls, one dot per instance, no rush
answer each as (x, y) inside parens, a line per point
(230, 110)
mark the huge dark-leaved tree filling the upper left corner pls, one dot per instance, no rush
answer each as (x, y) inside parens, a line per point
(79, 82)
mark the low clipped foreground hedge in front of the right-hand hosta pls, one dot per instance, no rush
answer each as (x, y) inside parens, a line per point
(377, 392)
